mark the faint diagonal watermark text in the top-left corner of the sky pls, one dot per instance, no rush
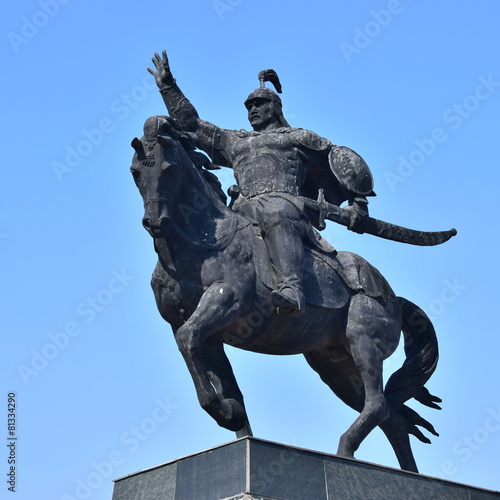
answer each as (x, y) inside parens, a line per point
(31, 26)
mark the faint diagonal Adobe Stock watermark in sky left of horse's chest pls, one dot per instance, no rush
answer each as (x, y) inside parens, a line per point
(86, 312)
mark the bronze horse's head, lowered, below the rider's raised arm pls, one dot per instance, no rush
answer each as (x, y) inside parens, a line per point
(156, 168)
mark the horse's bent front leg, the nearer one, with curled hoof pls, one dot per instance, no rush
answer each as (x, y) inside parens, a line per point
(217, 308)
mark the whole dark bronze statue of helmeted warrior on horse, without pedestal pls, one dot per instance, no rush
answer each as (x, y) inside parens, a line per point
(258, 276)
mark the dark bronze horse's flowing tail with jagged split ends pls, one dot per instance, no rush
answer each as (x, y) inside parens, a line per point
(421, 349)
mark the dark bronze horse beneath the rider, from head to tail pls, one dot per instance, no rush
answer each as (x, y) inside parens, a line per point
(211, 284)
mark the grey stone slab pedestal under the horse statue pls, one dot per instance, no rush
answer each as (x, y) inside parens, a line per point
(253, 469)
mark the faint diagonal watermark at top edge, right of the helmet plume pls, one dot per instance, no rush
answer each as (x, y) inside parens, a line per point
(363, 36)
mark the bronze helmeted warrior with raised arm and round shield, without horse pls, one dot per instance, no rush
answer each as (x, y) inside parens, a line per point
(274, 165)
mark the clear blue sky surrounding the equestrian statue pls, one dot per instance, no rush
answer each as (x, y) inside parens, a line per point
(102, 391)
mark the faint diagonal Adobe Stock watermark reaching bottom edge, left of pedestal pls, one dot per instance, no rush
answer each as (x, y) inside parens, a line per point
(130, 441)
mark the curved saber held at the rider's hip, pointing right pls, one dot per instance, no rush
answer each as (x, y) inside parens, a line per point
(378, 227)
